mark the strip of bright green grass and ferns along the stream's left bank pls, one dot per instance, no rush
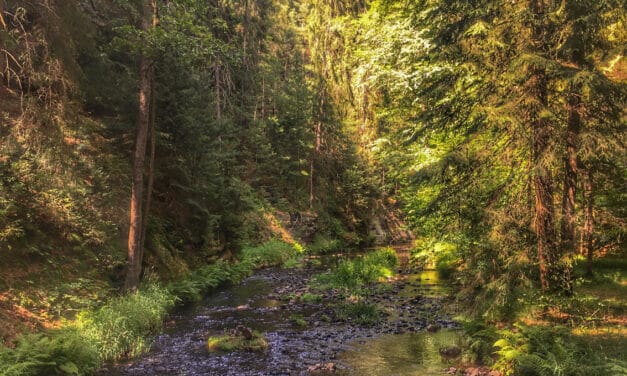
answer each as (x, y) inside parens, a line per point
(122, 326)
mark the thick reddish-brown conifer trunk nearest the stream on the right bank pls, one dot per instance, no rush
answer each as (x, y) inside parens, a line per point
(544, 221)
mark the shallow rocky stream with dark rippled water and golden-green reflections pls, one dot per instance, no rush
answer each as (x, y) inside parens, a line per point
(398, 345)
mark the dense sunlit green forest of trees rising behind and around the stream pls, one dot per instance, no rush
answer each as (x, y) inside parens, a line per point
(142, 139)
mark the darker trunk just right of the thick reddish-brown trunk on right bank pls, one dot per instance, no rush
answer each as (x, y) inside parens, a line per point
(567, 239)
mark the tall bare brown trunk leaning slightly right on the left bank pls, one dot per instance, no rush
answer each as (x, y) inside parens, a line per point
(134, 260)
